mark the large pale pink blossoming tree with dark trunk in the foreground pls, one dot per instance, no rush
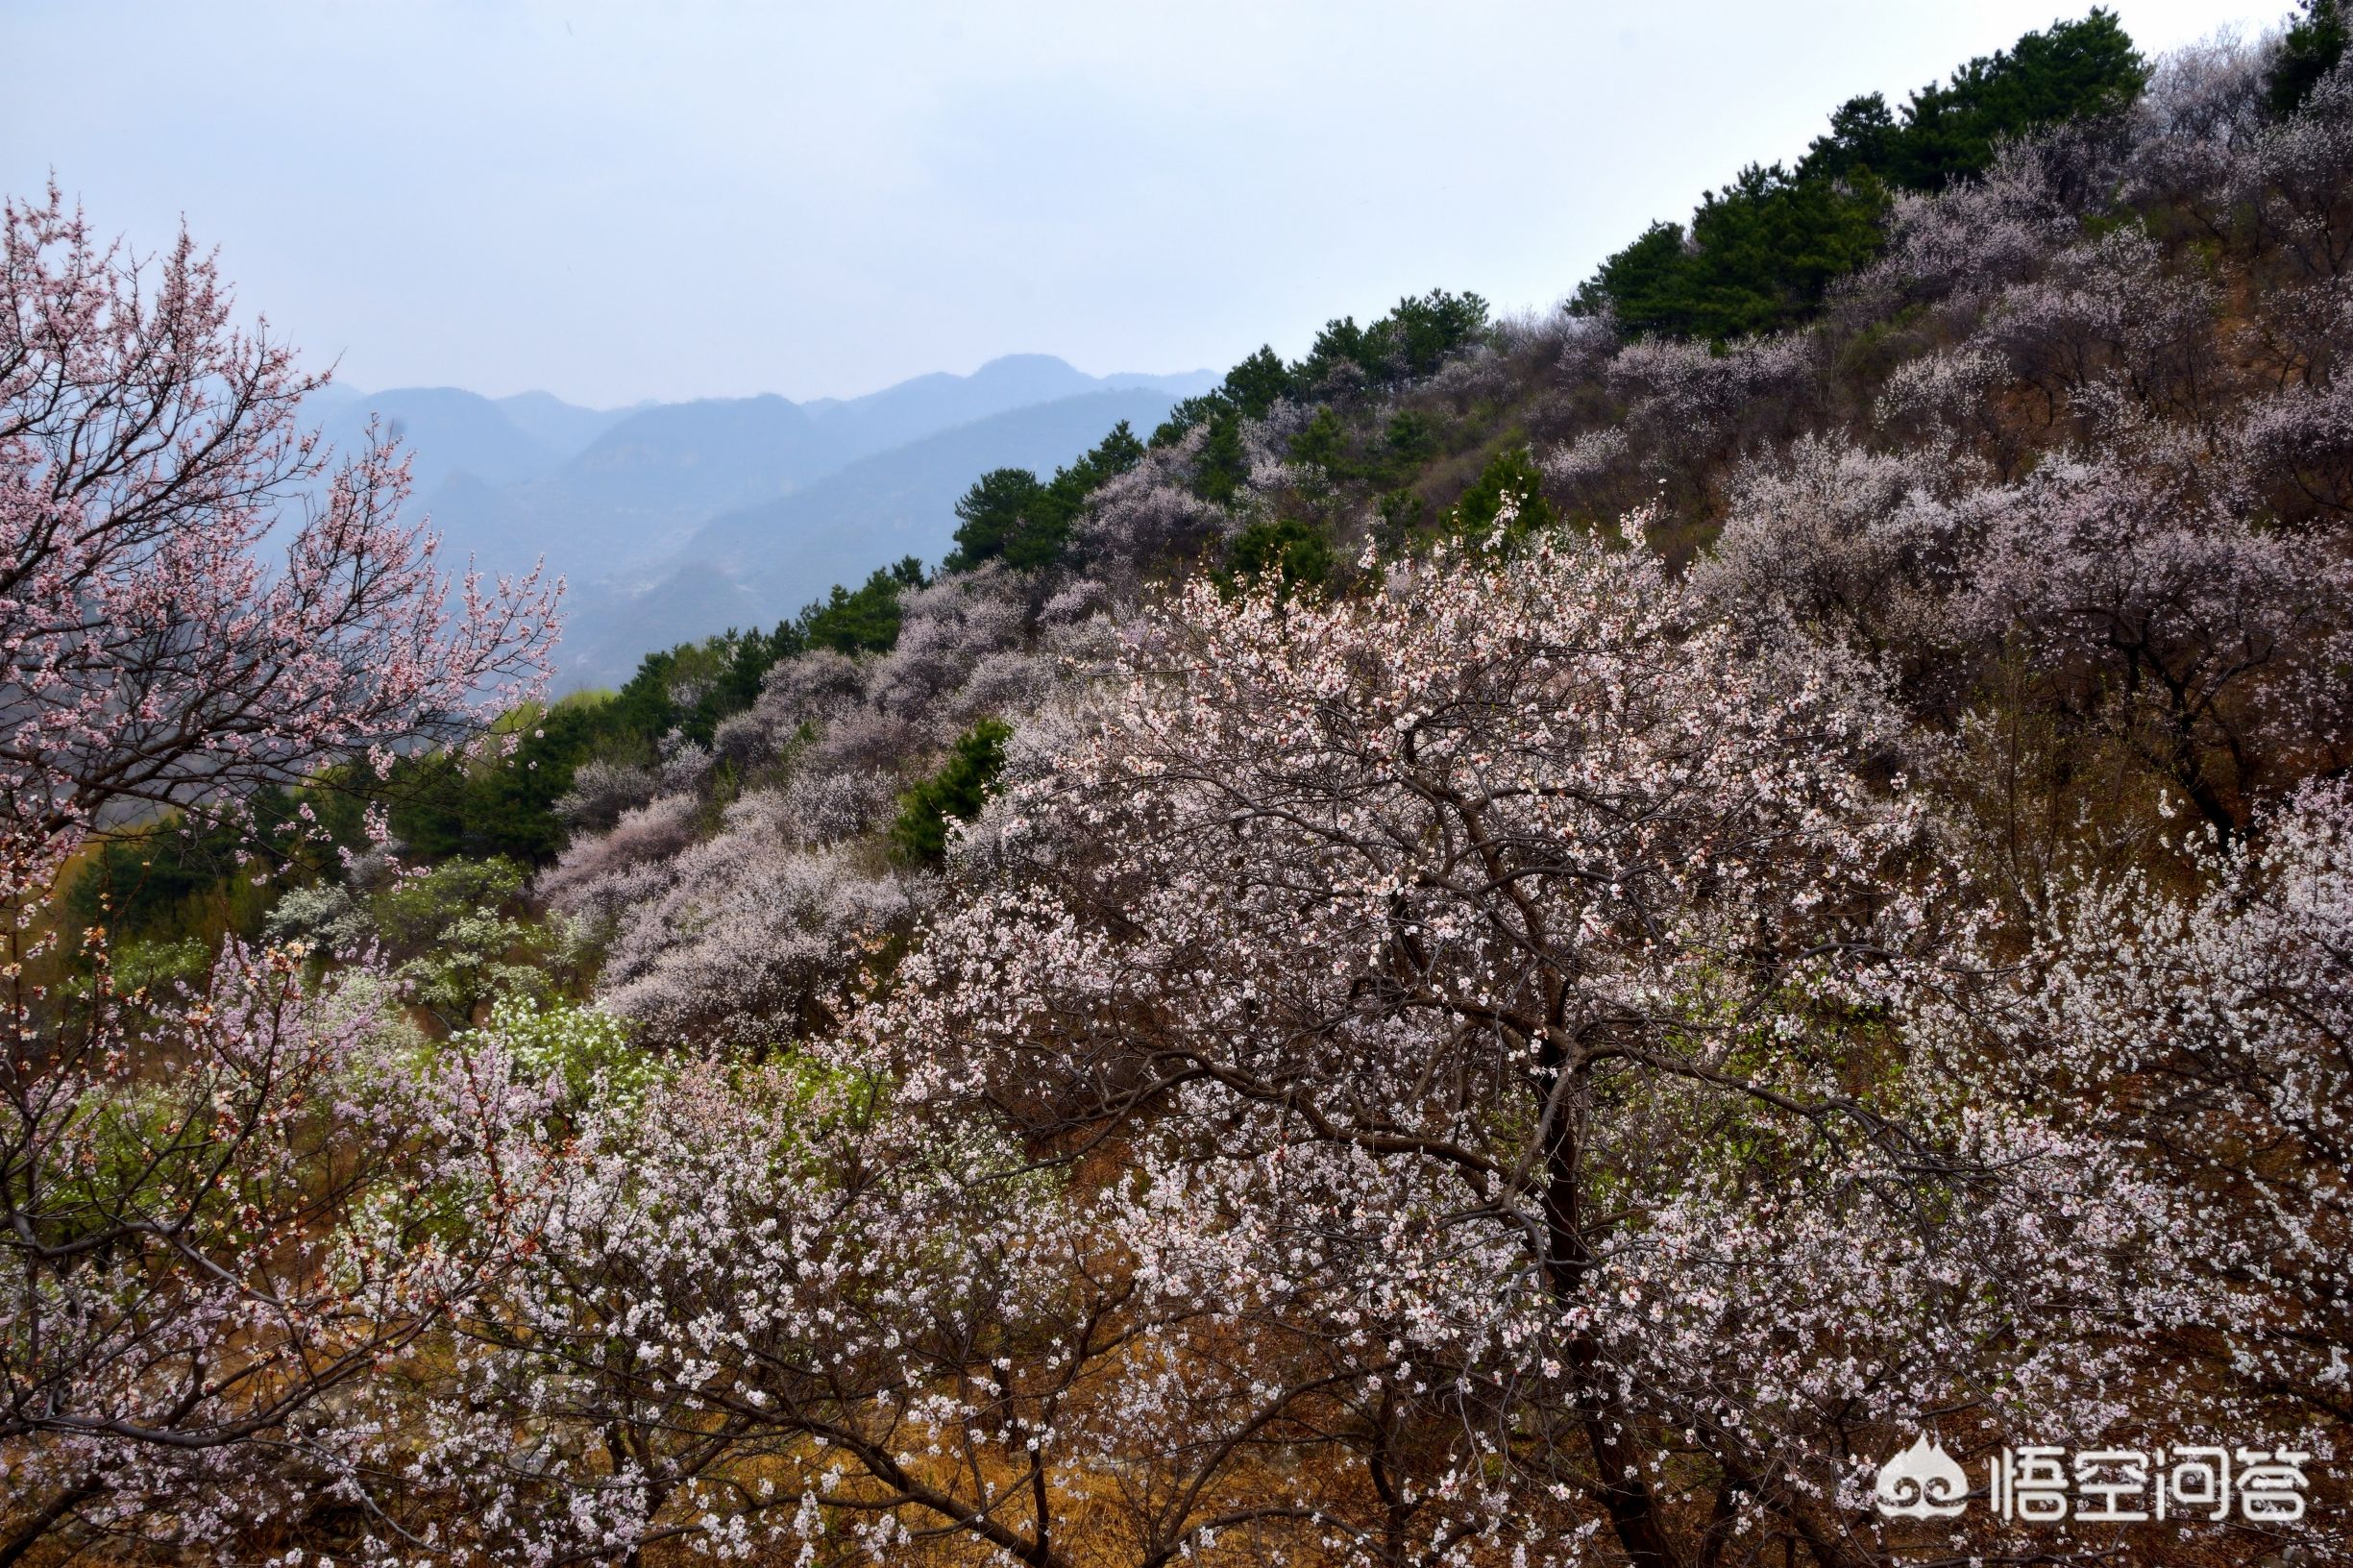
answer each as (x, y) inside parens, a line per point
(1519, 988)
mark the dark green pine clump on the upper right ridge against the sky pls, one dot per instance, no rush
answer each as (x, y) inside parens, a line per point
(1764, 253)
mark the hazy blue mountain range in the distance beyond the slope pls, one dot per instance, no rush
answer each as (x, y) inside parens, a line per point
(681, 519)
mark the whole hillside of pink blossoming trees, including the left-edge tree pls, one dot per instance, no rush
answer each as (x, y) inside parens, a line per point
(1524, 941)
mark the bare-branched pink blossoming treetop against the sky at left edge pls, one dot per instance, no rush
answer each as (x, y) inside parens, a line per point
(154, 651)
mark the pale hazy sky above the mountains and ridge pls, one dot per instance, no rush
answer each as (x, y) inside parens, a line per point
(669, 201)
